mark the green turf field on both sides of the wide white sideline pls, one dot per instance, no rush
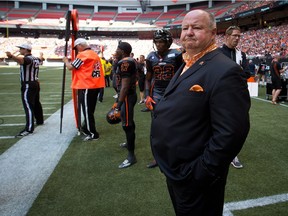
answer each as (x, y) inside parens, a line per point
(87, 180)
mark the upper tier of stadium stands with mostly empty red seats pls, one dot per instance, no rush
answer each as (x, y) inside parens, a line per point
(156, 17)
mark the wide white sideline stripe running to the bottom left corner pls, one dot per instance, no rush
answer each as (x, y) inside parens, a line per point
(26, 166)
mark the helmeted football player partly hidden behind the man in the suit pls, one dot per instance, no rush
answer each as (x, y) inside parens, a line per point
(161, 66)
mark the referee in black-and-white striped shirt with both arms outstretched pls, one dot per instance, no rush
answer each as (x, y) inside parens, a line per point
(30, 88)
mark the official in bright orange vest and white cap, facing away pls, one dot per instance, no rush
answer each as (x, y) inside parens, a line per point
(88, 79)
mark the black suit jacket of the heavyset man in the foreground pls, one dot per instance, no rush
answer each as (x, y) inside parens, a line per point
(197, 134)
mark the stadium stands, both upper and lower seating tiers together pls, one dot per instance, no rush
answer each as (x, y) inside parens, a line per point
(273, 39)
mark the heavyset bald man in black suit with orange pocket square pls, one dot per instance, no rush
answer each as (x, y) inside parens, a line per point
(201, 122)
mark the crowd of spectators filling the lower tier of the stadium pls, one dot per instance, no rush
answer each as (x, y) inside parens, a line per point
(256, 43)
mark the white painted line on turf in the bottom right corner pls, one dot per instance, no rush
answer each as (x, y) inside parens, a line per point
(252, 203)
